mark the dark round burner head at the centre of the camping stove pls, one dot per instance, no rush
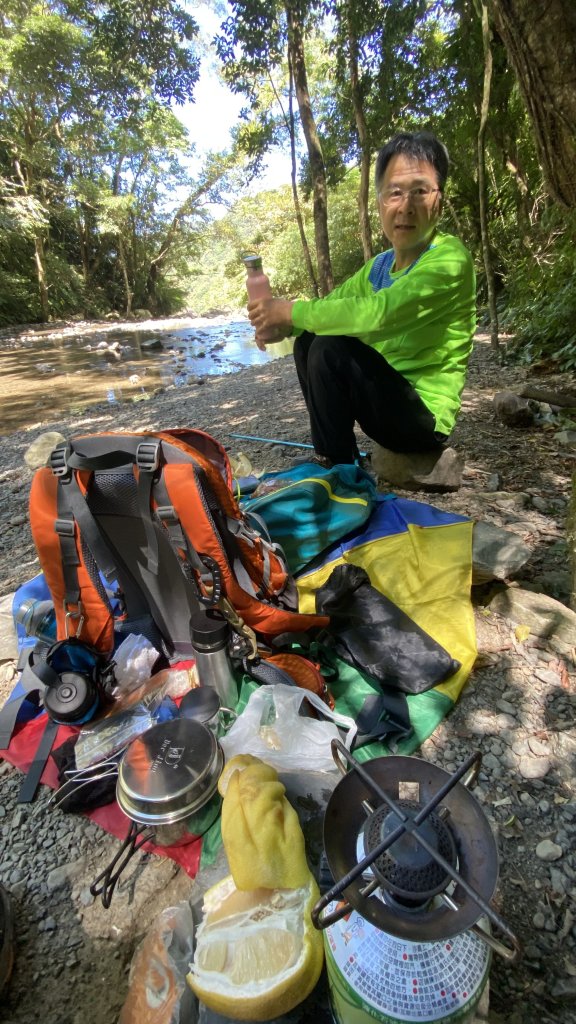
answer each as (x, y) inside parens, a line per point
(406, 871)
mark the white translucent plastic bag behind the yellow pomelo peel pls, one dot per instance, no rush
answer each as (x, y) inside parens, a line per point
(273, 729)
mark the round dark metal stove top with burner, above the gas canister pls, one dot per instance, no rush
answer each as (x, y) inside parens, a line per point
(393, 891)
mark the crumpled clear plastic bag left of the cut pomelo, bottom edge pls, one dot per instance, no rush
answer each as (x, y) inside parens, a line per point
(158, 993)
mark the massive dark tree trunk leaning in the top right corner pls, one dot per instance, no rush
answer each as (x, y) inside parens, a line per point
(541, 40)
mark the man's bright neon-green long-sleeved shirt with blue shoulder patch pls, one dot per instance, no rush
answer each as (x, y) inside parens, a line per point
(422, 320)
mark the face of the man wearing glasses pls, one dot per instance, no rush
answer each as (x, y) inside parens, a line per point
(409, 222)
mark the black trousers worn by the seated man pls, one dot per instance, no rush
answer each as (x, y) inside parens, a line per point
(345, 381)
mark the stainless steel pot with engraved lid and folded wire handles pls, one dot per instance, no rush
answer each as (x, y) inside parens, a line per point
(168, 786)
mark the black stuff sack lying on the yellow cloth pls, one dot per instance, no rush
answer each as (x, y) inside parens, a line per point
(373, 634)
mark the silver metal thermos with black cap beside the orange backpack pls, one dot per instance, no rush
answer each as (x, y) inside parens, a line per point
(211, 637)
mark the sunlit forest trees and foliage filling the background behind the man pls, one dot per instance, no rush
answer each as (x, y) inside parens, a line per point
(101, 212)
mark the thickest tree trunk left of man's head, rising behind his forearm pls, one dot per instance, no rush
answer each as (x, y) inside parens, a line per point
(298, 62)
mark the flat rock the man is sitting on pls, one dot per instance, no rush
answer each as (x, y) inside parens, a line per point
(432, 472)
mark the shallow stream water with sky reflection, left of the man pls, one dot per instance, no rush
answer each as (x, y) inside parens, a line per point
(47, 372)
